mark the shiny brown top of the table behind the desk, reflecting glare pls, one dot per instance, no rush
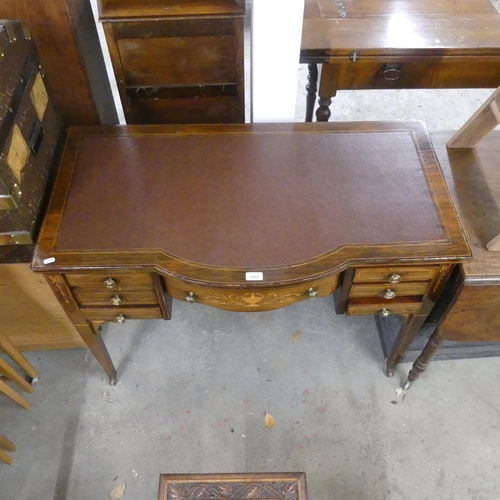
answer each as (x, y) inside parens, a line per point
(448, 27)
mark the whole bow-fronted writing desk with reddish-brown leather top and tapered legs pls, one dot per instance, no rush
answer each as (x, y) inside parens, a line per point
(248, 218)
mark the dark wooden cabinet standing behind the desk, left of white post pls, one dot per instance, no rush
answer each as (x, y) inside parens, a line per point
(177, 62)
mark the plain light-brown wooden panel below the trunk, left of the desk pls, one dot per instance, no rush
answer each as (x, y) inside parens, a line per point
(32, 318)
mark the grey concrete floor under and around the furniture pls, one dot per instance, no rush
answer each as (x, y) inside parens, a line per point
(192, 393)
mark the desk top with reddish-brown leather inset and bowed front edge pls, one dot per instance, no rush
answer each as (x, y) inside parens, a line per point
(210, 203)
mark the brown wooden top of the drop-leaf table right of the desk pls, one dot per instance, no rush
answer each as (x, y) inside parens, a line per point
(473, 178)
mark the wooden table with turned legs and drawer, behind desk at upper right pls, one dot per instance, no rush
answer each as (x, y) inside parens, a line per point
(380, 44)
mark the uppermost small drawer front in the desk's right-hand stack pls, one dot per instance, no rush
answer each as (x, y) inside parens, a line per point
(394, 274)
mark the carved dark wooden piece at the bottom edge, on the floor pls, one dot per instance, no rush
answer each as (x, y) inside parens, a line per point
(233, 486)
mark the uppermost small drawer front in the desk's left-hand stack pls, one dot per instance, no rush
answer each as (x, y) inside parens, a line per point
(111, 281)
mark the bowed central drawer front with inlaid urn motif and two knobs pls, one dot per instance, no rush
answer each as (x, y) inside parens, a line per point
(254, 299)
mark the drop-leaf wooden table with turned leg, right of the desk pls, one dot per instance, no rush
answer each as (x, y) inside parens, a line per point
(473, 177)
